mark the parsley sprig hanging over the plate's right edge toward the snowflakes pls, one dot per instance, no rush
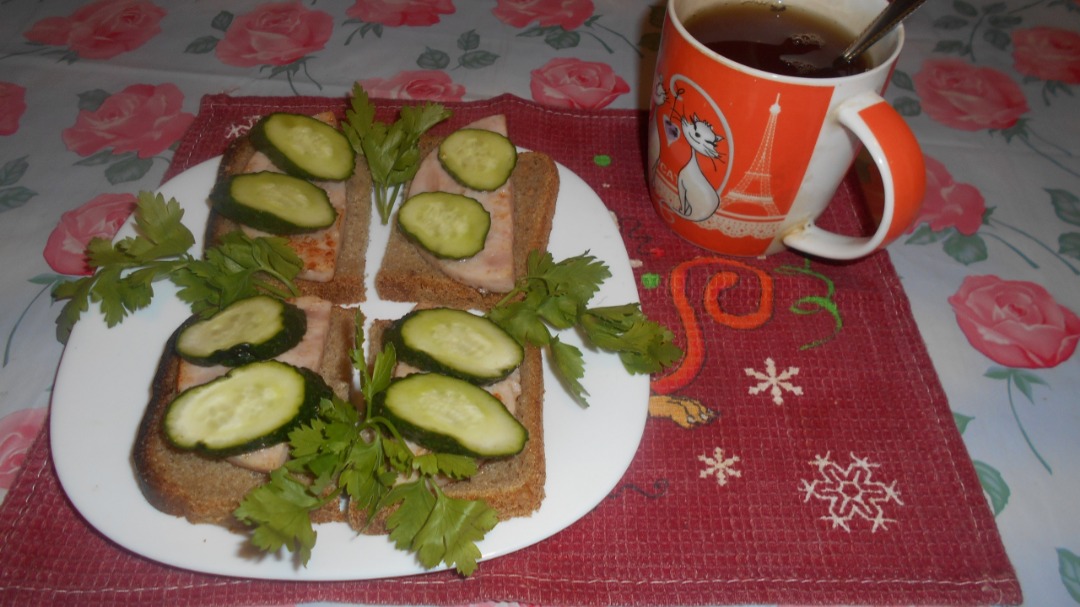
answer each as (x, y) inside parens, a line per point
(556, 296)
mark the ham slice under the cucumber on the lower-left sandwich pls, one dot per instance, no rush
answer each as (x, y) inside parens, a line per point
(308, 354)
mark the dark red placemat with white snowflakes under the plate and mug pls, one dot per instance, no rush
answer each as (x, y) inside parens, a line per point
(803, 452)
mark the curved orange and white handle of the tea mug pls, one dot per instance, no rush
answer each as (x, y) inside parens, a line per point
(899, 158)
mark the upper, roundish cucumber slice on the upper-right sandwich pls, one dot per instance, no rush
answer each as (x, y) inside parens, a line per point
(478, 159)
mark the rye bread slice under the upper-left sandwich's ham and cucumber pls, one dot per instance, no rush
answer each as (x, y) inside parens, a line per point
(348, 284)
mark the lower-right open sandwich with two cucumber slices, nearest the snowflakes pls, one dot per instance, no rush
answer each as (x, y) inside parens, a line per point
(463, 385)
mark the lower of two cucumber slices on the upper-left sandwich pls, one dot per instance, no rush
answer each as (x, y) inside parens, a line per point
(275, 203)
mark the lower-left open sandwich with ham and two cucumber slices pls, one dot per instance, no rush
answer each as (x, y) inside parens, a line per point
(228, 392)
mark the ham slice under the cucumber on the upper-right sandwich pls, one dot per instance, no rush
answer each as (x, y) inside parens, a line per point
(493, 268)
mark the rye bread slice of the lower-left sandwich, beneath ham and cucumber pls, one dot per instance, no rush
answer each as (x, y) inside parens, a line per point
(205, 490)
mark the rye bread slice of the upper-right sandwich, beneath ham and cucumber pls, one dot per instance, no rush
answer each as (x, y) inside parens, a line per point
(409, 275)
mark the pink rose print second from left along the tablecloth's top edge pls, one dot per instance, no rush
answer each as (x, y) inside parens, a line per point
(277, 34)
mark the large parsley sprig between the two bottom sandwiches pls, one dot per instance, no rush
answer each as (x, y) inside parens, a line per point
(363, 457)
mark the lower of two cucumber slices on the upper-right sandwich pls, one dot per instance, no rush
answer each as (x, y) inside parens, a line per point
(449, 226)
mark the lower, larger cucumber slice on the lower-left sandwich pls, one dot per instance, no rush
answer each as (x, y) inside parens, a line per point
(251, 408)
